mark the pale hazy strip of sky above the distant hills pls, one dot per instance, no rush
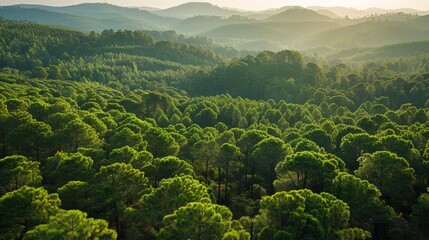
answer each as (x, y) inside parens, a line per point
(244, 4)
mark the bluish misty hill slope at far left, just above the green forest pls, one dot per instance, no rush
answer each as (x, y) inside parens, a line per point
(94, 16)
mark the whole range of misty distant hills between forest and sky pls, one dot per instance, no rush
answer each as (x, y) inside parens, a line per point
(287, 27)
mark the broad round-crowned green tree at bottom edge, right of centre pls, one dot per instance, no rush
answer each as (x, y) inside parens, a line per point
(303, 214)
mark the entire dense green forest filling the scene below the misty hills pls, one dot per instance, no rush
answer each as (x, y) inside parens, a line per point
(123, 135)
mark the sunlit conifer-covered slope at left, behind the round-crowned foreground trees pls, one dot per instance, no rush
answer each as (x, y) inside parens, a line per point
(47, 52)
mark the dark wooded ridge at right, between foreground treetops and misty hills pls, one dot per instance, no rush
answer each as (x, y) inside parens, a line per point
(285, 75)
